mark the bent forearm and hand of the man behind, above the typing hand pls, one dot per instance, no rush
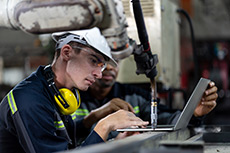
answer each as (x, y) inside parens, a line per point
(112, 106)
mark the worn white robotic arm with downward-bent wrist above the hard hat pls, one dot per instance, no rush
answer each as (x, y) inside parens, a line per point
(47, 16)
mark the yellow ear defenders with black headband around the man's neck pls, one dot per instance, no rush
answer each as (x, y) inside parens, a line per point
(65, 98)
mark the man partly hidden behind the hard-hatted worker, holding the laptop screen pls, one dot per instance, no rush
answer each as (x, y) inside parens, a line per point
(108, 96)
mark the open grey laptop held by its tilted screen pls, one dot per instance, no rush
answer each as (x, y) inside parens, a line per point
(186, 114)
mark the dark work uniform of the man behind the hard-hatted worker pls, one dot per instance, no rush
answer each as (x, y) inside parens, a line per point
(139, 98)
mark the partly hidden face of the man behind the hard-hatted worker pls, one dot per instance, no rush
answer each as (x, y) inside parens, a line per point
(109, 76)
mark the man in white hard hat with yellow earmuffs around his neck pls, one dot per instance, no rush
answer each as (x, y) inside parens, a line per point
(34, 116)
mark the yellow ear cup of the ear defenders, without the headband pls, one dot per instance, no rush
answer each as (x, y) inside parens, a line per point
(70, 99)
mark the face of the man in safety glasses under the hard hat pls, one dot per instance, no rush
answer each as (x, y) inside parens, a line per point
(84, 68)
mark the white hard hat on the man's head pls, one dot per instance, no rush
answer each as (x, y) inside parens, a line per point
(90, 37)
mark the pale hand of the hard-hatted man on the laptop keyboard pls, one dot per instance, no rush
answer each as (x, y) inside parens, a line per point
(119, 119)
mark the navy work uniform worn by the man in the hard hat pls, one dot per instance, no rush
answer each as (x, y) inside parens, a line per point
(30, 121)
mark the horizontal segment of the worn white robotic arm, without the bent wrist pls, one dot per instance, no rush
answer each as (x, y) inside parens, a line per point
(46, 16)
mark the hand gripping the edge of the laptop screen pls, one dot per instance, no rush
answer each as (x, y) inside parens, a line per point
(208, 101)
